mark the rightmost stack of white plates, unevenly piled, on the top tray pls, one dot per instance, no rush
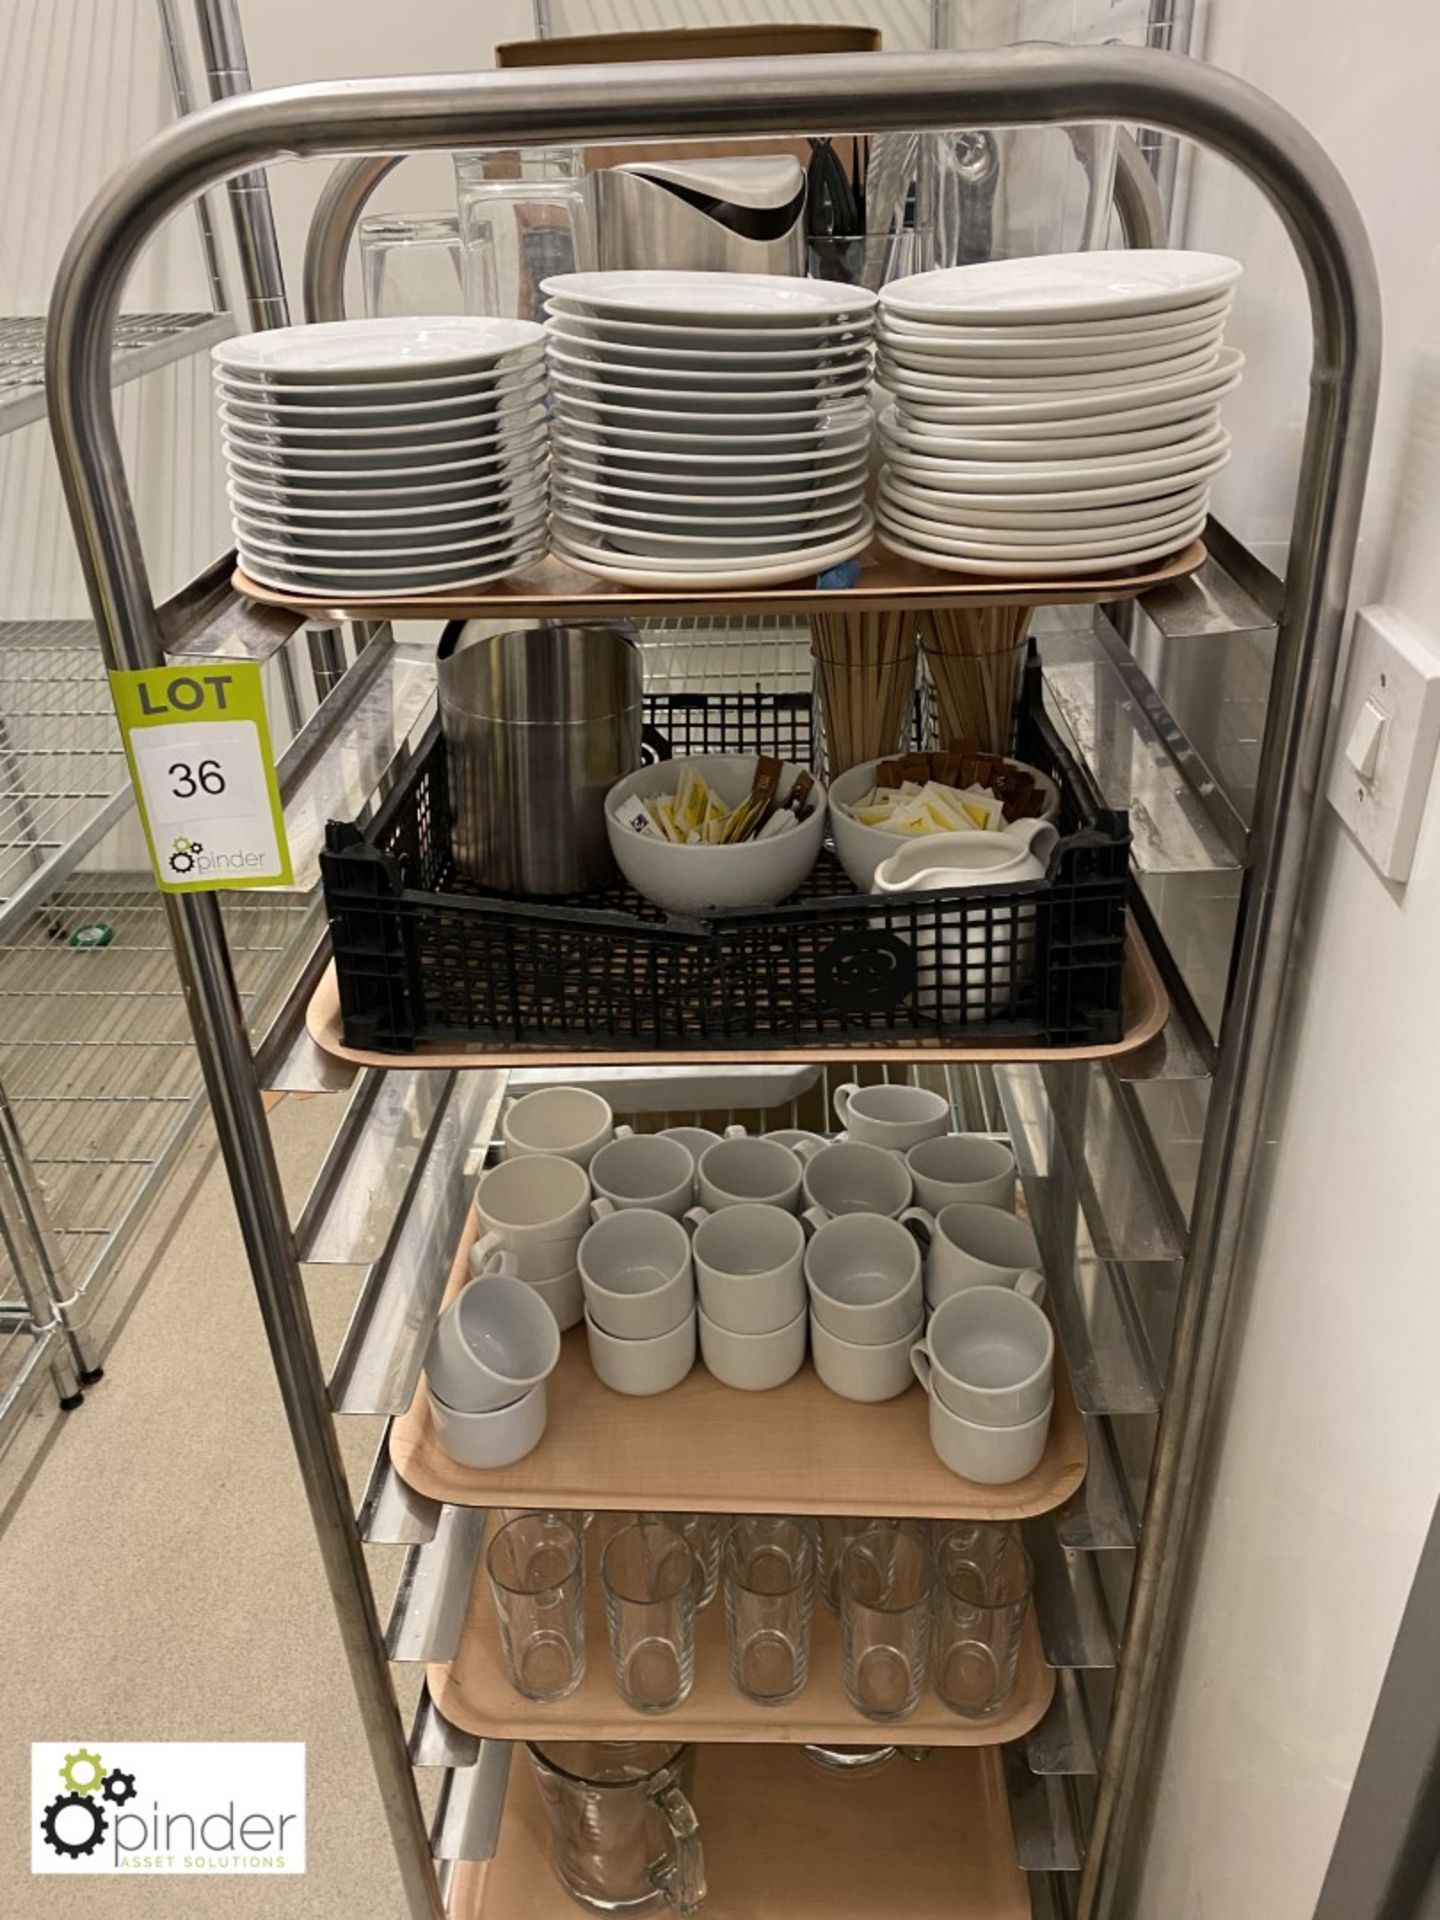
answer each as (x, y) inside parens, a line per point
(1053, 416)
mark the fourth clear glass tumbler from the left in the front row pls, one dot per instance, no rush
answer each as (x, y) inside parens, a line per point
(884, 1589)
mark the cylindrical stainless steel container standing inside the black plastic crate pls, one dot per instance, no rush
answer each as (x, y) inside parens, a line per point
(539, 727)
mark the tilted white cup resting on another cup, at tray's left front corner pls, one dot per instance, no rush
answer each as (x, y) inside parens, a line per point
(492, 1345)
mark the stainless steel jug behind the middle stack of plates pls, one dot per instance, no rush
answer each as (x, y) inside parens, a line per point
(704, 216)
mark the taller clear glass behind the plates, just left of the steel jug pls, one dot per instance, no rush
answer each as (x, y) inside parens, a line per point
(523, 216)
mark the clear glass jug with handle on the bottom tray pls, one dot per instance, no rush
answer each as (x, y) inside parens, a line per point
(623, 1833)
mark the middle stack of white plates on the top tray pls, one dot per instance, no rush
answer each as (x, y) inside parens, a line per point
(711, 429)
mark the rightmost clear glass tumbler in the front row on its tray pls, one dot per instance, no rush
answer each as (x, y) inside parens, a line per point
(982, 1591)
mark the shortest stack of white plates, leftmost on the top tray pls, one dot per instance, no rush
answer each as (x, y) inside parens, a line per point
(395, 456)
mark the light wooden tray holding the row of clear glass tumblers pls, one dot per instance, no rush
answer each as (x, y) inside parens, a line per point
(475, 1691)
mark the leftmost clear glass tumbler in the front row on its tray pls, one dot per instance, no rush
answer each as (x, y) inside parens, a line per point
(539, 1575)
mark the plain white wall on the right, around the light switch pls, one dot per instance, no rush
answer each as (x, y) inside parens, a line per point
(1328, 1460)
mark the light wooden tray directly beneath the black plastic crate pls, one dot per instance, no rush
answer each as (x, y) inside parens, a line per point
(1143, 994)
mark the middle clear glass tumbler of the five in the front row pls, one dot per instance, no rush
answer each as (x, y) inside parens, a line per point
(769, 1573)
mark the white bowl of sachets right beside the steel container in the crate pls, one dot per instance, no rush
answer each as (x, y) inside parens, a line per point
(702, 880)
